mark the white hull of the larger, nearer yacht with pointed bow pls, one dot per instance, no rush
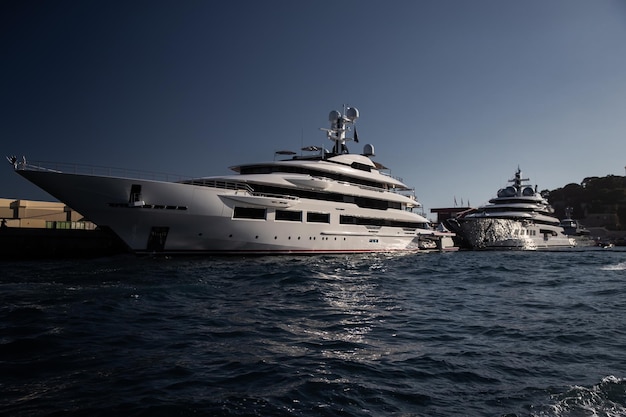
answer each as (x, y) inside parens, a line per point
(177, 218)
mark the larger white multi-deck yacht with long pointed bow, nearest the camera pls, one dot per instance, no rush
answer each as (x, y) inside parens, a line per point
(324, 202)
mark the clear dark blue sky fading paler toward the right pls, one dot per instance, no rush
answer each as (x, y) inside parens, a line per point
(453, 94)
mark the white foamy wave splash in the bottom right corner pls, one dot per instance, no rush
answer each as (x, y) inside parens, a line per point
(606, 399)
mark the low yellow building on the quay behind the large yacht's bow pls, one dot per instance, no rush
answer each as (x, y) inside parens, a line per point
(40, 214)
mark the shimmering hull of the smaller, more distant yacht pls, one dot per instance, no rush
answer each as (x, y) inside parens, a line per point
(485, 233)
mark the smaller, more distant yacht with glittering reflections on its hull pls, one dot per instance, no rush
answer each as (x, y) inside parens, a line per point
(518, 218)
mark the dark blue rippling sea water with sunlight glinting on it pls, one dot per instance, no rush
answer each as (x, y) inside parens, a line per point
(439, 334)
